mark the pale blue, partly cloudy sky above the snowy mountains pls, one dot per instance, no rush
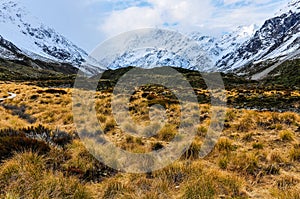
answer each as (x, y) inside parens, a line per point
(88, 23)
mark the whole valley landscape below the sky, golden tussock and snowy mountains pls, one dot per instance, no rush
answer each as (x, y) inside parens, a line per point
(47, 152)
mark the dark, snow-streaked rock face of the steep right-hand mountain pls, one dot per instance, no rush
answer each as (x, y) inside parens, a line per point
(273, 34)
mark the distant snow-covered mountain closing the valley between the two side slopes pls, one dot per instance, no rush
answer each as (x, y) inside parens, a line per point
(198, 52)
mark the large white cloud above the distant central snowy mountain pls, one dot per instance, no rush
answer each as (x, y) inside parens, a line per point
(180, 13)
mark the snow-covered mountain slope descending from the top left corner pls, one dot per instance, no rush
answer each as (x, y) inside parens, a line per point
(36, 40)
